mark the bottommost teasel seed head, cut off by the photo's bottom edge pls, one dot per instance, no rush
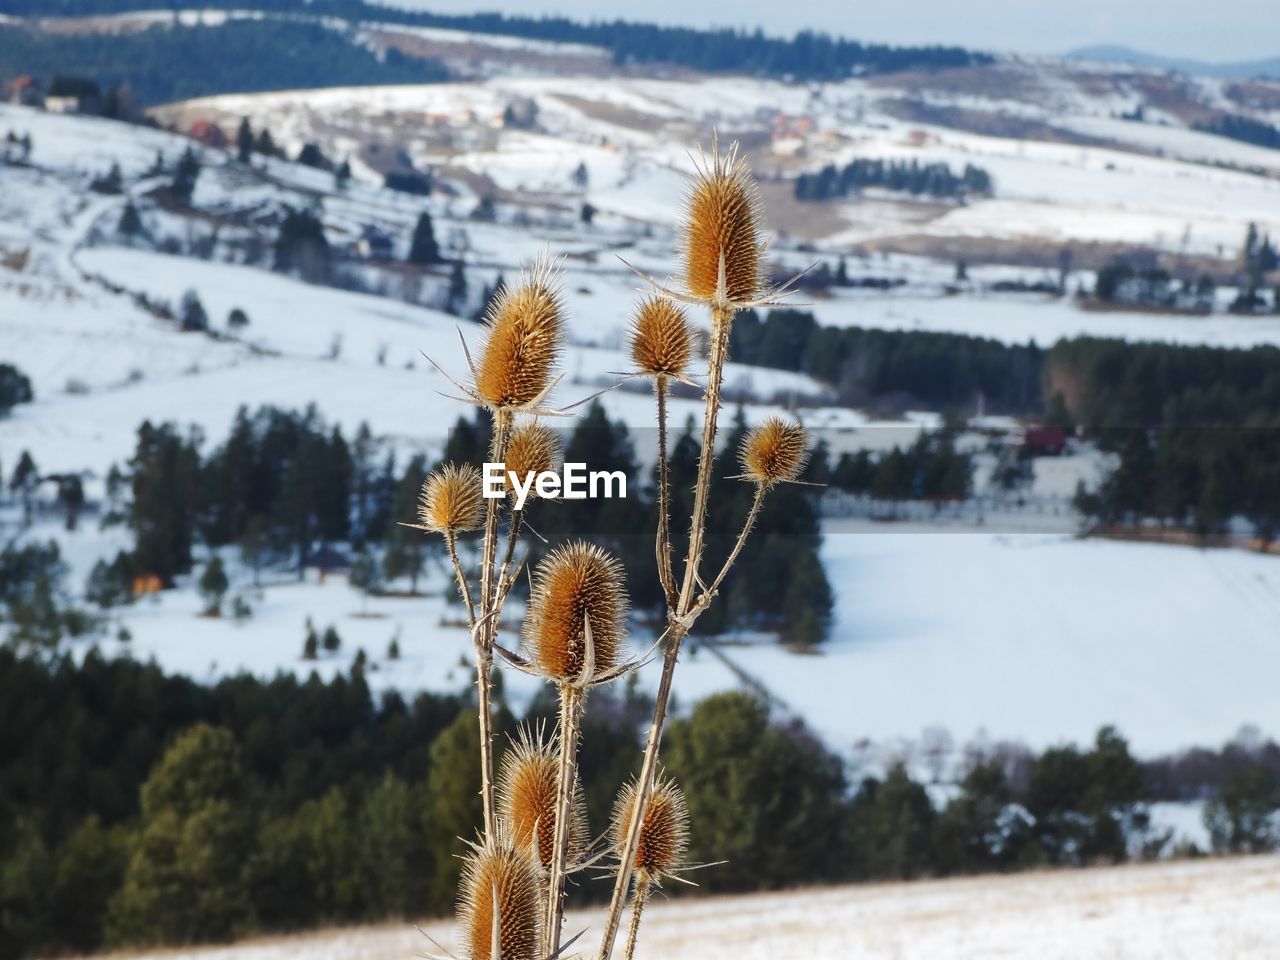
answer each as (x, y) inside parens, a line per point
(500, 879)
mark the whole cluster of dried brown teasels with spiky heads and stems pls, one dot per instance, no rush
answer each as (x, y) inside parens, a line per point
(513, 900)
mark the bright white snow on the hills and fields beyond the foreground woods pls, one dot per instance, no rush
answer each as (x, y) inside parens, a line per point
(975, 632)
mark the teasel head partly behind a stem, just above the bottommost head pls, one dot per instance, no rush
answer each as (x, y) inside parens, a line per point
(527, 801)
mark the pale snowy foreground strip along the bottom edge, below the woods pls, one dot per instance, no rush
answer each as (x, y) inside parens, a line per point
(1188, 911)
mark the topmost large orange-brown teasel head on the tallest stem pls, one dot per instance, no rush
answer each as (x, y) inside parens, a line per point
(723, 218)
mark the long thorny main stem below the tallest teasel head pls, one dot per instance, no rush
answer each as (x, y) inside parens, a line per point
(679, 621)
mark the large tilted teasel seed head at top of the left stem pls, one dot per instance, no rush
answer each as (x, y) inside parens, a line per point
(525, 332)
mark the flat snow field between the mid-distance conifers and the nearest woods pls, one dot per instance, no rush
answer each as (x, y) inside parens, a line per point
(1028, 638)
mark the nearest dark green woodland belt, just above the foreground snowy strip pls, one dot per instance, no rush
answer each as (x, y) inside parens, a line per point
(141, 808)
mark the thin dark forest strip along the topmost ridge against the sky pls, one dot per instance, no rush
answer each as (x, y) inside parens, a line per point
(807, 56)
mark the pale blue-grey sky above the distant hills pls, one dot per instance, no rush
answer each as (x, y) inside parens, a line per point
(1218, 33)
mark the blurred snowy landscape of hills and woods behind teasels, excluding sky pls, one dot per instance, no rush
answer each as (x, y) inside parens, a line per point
(1028, 621)
